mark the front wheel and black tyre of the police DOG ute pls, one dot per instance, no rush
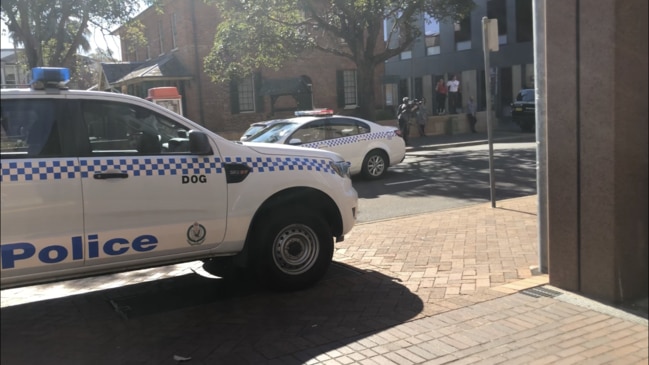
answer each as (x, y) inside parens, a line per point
(293, 250)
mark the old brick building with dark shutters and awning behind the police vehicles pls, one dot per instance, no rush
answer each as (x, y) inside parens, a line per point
(181, 34)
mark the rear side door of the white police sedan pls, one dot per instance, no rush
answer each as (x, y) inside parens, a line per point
(349, 138)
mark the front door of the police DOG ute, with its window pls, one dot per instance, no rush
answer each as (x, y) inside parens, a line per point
(145, 195)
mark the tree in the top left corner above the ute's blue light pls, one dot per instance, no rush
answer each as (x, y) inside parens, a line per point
(53, 31)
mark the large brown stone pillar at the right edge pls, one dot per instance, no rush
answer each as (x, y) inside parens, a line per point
(593, 102)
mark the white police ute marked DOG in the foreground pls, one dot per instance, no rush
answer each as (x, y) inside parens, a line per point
(97, 182)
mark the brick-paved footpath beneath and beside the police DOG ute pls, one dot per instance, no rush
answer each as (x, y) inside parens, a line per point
(450, 287)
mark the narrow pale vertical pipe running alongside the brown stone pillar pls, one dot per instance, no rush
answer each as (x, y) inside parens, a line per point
(541, 131)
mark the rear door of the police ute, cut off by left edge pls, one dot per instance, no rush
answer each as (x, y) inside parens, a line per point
(42, 211)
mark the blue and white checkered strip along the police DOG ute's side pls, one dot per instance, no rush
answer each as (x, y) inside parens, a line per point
(60, 169)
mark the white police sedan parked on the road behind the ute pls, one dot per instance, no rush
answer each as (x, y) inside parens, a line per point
(369, 147)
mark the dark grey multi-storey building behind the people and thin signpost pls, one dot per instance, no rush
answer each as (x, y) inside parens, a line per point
(455, 48)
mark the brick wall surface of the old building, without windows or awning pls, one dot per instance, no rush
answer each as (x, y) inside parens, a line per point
(208, 103)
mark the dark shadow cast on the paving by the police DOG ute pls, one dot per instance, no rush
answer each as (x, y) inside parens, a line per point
(212, 321)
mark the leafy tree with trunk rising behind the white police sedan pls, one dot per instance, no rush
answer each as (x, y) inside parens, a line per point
(268, 33)
